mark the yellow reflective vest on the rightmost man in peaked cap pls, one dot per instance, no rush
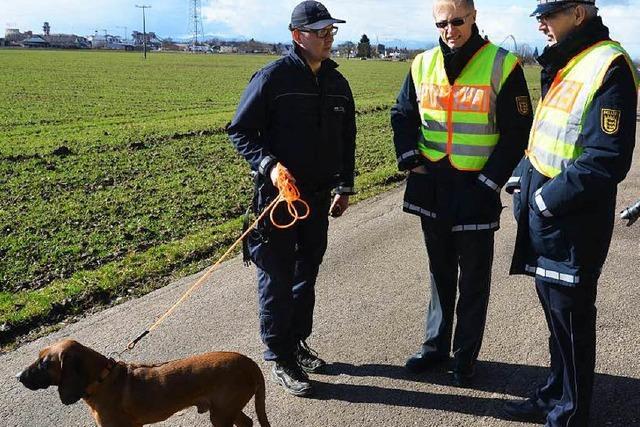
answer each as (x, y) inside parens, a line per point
(554, 141)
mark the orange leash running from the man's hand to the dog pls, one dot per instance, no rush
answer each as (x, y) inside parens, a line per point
(289, 194)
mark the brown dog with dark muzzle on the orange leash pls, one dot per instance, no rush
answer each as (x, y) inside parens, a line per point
(127, 395)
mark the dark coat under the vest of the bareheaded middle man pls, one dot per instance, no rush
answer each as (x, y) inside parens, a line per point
(460, 198)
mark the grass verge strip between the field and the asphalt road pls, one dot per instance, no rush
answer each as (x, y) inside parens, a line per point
(29, 313)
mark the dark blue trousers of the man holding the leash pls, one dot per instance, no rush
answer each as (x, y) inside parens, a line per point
(287, 263)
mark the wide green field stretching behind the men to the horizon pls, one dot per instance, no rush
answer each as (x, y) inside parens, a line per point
(116, 175)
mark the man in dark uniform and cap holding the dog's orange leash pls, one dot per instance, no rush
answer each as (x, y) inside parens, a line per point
(297, 115)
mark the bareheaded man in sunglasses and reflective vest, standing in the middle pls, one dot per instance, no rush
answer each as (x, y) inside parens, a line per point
(460, 124)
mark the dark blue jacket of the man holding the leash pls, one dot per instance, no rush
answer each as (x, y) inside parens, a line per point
(306, 122)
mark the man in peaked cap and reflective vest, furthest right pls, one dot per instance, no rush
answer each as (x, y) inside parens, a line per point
(580, 148)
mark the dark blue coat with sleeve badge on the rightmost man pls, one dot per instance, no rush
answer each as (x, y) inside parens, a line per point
(571, 241)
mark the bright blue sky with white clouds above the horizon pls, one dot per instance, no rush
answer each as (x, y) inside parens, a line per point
(267, 20)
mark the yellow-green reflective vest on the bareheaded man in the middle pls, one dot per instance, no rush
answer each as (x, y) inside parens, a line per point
(459, 121)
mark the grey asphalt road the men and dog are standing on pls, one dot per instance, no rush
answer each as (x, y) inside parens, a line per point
(371, 298)
